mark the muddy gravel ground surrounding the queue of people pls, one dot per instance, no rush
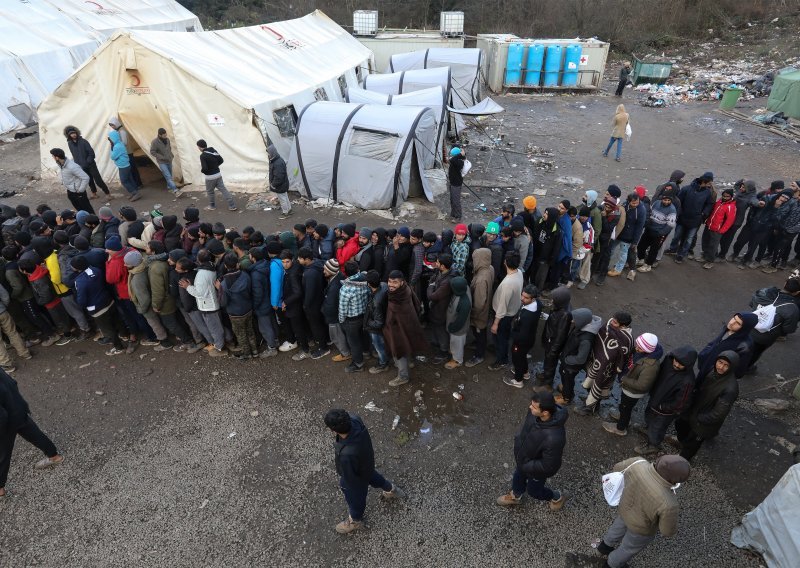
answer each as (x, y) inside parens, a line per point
(167, 466)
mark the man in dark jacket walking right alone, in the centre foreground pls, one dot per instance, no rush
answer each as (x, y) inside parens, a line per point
(355, 465)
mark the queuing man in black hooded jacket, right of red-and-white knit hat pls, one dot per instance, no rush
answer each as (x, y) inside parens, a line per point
(670, 396)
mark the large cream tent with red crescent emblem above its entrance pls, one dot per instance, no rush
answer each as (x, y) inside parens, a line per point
(237, 89)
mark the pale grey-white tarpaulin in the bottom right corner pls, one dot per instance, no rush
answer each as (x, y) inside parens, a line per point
(773, 528)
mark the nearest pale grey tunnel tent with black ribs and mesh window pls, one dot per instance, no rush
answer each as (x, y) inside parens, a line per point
(371, 156)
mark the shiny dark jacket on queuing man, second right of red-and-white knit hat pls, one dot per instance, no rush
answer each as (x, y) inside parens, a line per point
(713, 400)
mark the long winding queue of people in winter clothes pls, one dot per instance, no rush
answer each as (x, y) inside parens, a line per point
(404, 296)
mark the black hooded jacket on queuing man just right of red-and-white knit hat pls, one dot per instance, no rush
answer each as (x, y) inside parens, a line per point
(672, 391)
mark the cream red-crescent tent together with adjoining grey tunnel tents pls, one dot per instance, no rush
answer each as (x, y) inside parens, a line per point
(305, 85)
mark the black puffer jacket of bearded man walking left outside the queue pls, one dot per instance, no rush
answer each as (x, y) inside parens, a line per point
(538, 446)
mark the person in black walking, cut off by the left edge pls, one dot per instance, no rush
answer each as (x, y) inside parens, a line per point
(15, 419)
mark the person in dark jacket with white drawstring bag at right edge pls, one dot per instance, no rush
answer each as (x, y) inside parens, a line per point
(778, 317)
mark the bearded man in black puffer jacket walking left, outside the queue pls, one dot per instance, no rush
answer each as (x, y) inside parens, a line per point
(538, 448)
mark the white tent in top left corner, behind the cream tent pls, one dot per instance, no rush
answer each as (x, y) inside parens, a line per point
(43, 41)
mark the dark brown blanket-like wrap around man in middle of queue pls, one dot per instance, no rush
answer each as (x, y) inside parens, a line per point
(403, 332)
